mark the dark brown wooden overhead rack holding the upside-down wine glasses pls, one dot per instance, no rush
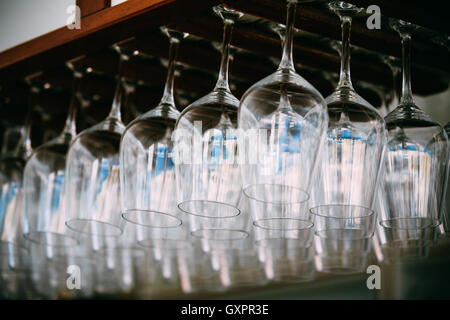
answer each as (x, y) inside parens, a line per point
(255, 58)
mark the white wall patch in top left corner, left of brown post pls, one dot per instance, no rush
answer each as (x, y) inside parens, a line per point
(22, 20)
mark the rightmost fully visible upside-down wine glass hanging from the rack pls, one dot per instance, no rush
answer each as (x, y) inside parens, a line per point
(416, 160)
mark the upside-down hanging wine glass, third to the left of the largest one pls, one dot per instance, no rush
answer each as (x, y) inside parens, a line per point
(93, 168)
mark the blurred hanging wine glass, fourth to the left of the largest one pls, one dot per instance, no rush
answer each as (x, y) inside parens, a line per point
(44, 181)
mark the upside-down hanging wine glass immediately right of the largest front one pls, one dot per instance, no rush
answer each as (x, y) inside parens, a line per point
(356, 137)
